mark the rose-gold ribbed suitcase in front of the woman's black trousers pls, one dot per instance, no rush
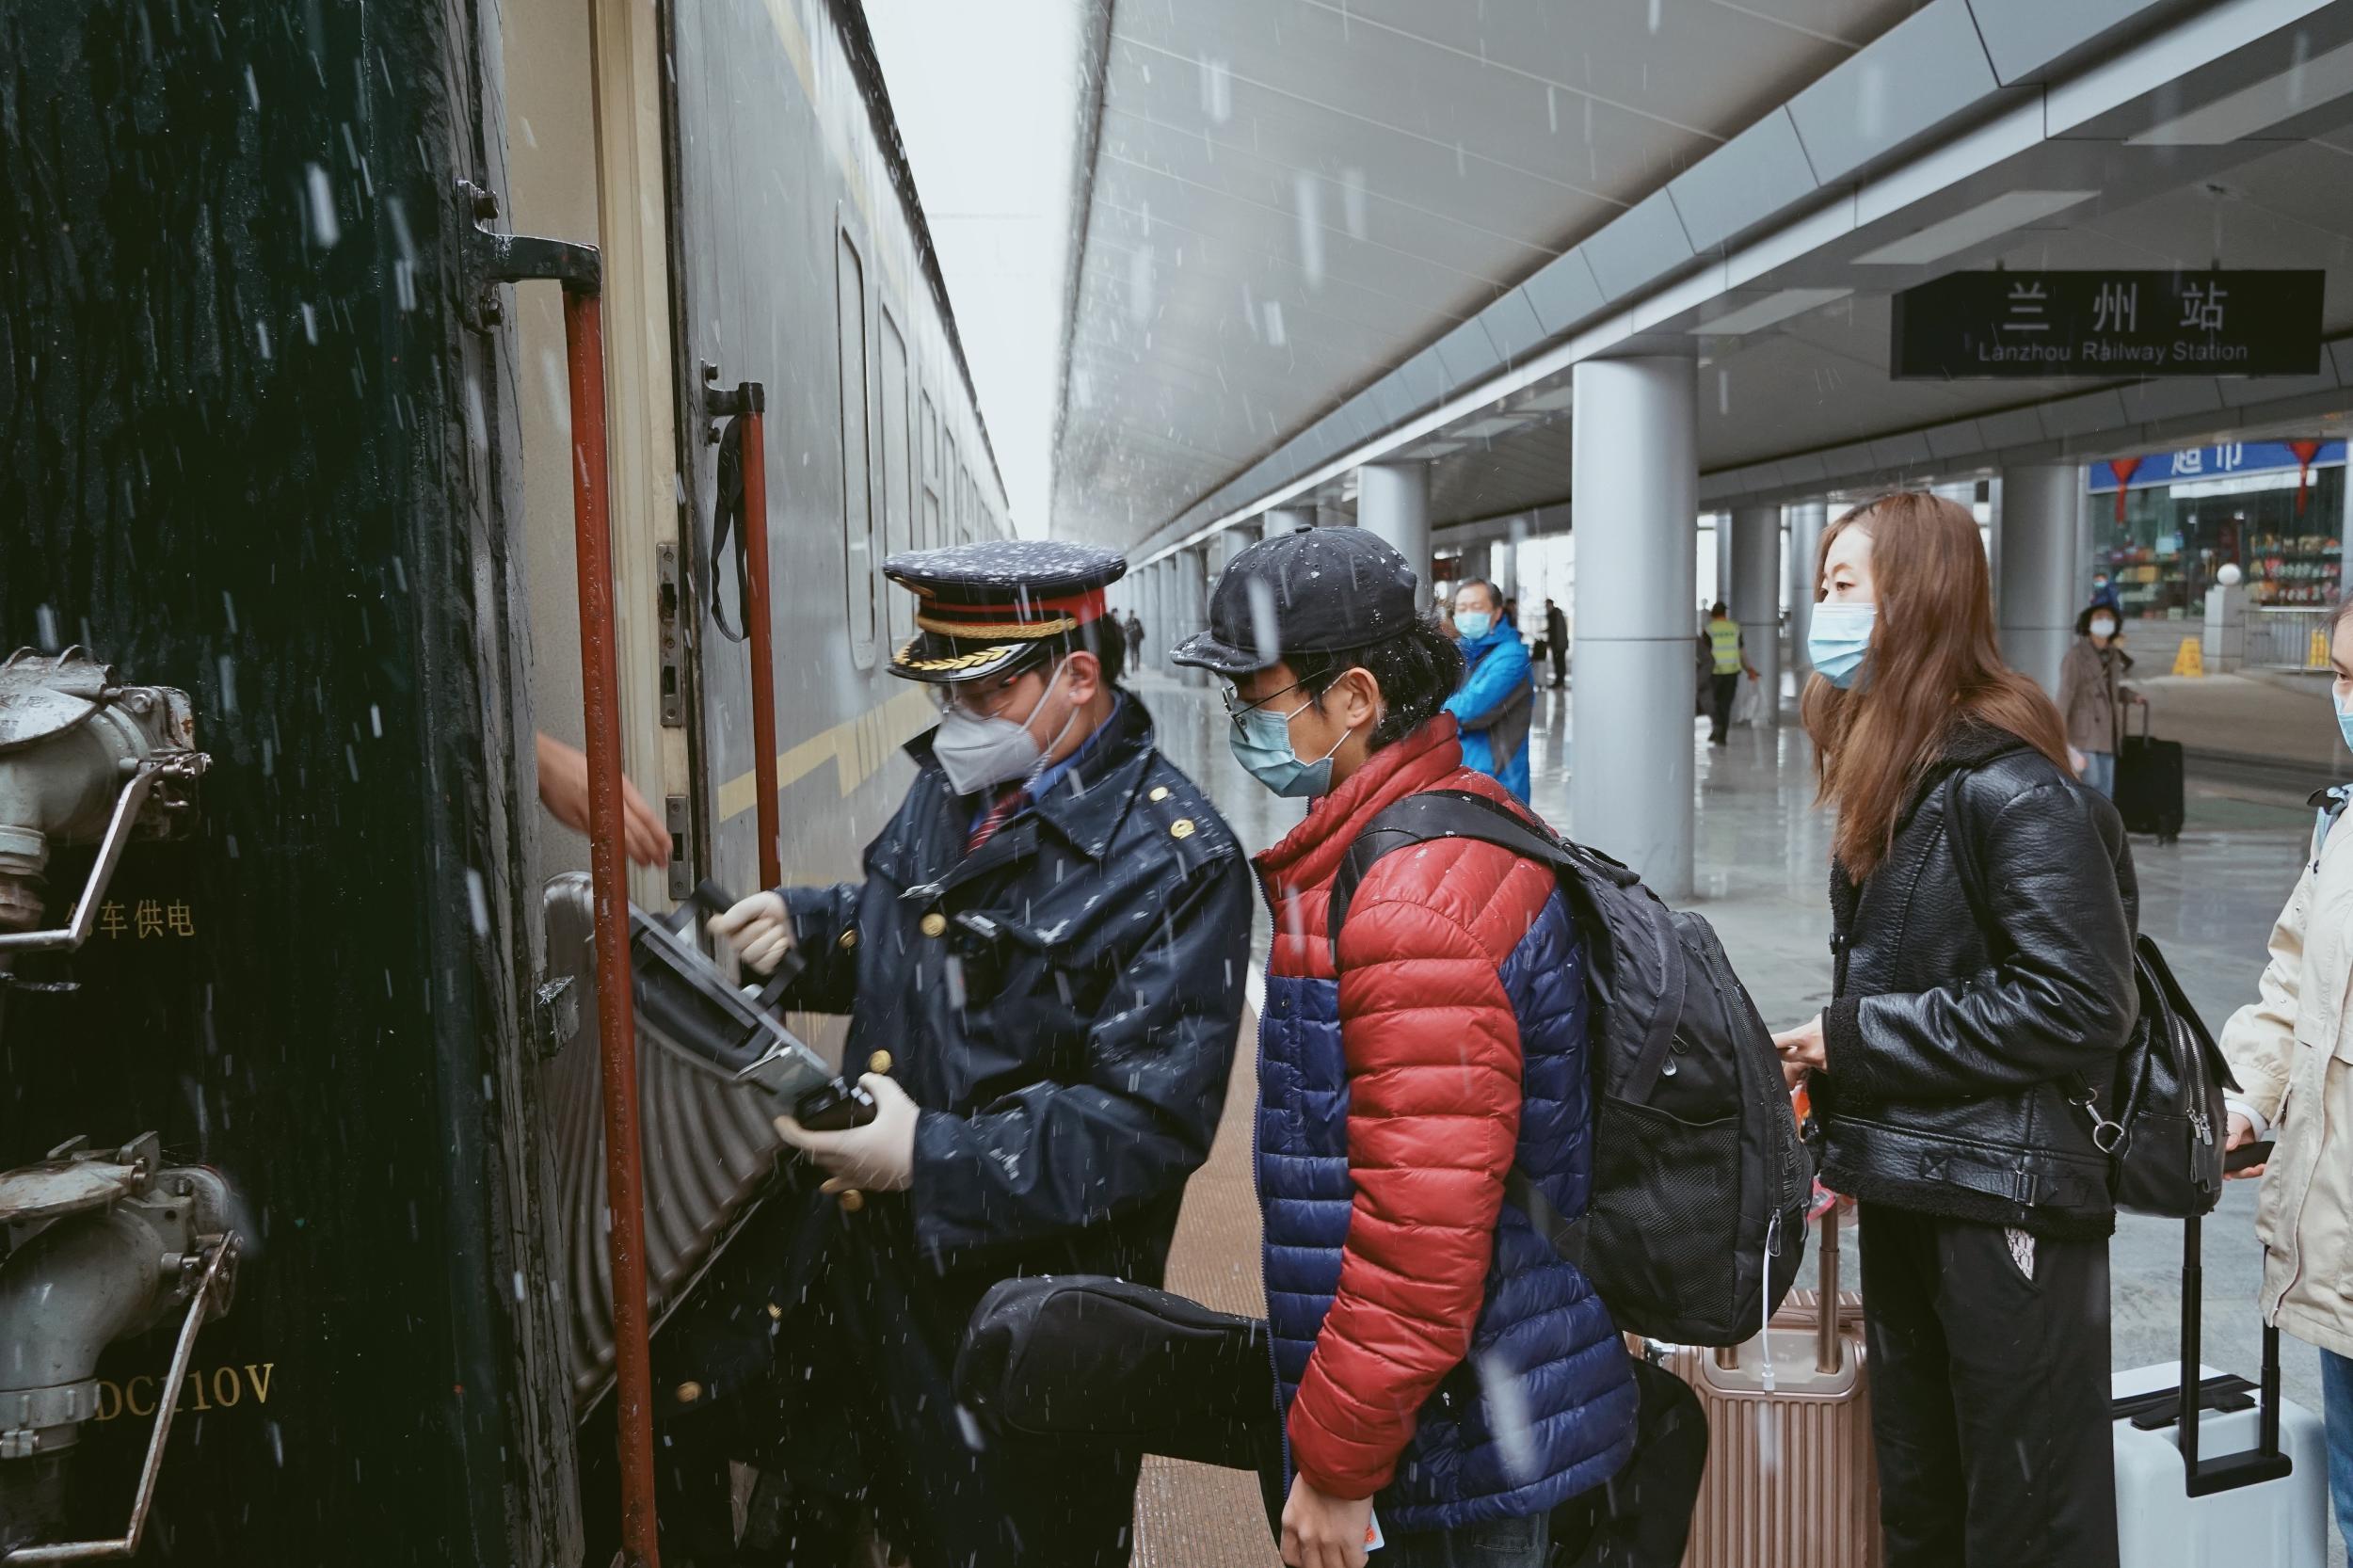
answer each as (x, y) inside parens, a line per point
(1792, 1477)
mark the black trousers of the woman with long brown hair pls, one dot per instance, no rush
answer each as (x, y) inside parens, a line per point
(1989, 1395)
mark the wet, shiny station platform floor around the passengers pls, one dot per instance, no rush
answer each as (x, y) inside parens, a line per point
(1764, 884)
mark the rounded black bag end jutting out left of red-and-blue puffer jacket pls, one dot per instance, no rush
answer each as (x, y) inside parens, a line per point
(1112, 1362)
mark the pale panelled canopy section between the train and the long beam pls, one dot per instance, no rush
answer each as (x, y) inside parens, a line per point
(1295, 199)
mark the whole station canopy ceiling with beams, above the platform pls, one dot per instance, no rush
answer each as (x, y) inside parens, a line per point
(1312, 220)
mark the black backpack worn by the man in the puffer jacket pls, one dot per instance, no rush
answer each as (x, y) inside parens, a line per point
(1700, 1183)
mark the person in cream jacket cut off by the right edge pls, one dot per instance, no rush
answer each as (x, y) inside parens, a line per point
(2293, 1056)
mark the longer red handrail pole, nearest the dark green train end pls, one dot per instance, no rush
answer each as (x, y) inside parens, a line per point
(615, 1009)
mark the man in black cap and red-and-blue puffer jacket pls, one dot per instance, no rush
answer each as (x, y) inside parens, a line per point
(1441, 1369)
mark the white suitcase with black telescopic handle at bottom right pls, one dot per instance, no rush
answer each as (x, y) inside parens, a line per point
(2227, 1473)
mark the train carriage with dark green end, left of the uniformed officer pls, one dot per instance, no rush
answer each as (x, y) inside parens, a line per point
(276, 439)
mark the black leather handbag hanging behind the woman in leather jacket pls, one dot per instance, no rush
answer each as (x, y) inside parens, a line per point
(2161, 1119)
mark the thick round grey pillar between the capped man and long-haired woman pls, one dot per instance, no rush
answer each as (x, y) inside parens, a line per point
(1634, 496)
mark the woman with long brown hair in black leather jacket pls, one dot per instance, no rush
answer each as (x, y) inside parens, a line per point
(1982, 941)
